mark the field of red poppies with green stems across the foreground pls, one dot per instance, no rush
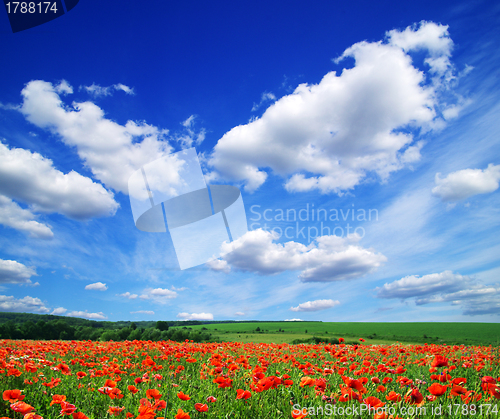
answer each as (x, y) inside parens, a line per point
(151, 380)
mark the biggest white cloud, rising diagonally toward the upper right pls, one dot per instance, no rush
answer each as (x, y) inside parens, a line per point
(329, 136)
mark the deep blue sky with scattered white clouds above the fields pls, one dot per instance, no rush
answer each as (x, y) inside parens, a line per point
(378, 122)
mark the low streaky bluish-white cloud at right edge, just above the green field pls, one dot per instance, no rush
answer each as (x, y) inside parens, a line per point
(446, 287)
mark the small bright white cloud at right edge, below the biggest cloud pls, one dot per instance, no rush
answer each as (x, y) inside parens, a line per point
(466, 183)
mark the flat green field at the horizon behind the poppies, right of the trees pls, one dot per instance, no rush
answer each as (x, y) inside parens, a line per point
(373, 333)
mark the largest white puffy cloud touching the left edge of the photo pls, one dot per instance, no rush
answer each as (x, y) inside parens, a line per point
(30, 178)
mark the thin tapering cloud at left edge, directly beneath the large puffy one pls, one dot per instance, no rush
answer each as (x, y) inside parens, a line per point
(12, 215)
